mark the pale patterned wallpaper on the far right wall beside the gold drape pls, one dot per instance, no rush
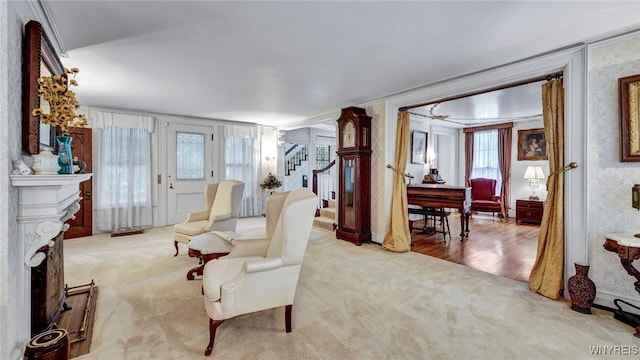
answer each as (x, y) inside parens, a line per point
(609, 181)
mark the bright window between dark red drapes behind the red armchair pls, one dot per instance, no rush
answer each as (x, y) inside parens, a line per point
(485, 156)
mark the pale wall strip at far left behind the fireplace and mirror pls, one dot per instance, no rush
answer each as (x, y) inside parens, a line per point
(15, 292)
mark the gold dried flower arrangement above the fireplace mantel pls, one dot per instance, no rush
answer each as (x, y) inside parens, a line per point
(62, 103)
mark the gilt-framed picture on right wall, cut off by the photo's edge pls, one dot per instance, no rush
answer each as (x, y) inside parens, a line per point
(629, 97)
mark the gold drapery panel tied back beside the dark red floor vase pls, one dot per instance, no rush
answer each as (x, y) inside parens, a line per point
(546, 275)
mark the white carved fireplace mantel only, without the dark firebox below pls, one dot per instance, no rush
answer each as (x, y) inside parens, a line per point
(45, 203)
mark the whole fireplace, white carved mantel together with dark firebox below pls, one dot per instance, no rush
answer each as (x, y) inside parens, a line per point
(45, 204)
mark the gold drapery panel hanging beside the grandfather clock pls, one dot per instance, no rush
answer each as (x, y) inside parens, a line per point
(397, 236)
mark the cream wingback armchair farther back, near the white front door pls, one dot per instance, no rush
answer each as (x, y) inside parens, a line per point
(222, 203)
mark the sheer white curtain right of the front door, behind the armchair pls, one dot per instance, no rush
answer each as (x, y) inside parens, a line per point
(242, 162)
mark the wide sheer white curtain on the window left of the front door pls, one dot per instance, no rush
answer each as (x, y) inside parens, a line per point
(124, 194)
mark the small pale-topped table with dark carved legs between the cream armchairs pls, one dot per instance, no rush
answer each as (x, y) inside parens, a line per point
(206, 247)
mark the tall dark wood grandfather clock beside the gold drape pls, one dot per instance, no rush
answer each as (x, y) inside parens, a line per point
(354, 179)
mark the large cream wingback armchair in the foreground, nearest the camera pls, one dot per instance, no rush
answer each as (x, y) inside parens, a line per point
(261, 274)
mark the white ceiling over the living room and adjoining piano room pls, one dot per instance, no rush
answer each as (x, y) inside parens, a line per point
(285, 62)
